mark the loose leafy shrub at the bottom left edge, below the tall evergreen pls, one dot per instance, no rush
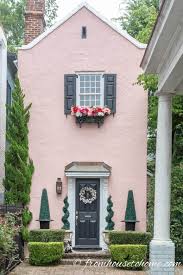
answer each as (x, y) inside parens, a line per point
(8, 247)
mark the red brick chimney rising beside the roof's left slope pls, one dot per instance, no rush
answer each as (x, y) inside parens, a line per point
(34, 19)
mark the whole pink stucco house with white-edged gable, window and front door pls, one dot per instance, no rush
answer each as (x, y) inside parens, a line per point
(85, 61)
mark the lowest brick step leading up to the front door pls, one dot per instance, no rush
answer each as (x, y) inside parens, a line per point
(84, 261)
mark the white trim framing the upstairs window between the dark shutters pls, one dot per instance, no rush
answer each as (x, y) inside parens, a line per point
(78, 86)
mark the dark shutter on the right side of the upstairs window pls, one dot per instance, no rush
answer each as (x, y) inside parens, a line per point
(110, 91)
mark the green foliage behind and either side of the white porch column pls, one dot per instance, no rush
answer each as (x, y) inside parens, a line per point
(149, 83)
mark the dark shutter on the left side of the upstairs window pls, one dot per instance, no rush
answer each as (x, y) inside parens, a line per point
(69, 92)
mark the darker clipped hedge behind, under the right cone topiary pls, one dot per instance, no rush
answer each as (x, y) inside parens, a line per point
(129, 237)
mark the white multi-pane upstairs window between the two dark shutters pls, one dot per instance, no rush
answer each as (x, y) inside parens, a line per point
(90, 90)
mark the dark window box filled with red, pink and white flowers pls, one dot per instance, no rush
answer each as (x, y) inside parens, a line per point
(90, 114)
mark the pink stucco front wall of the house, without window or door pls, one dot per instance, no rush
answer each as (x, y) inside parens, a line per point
(55, 140)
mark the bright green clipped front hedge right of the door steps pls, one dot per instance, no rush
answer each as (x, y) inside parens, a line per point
(128, 256)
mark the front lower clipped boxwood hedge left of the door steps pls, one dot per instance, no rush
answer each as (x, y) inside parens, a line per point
(41, 253)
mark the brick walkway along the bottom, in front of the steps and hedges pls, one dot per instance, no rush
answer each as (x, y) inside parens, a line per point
(26, 269)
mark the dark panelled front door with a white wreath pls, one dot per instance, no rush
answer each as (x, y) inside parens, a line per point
(87, 212)
